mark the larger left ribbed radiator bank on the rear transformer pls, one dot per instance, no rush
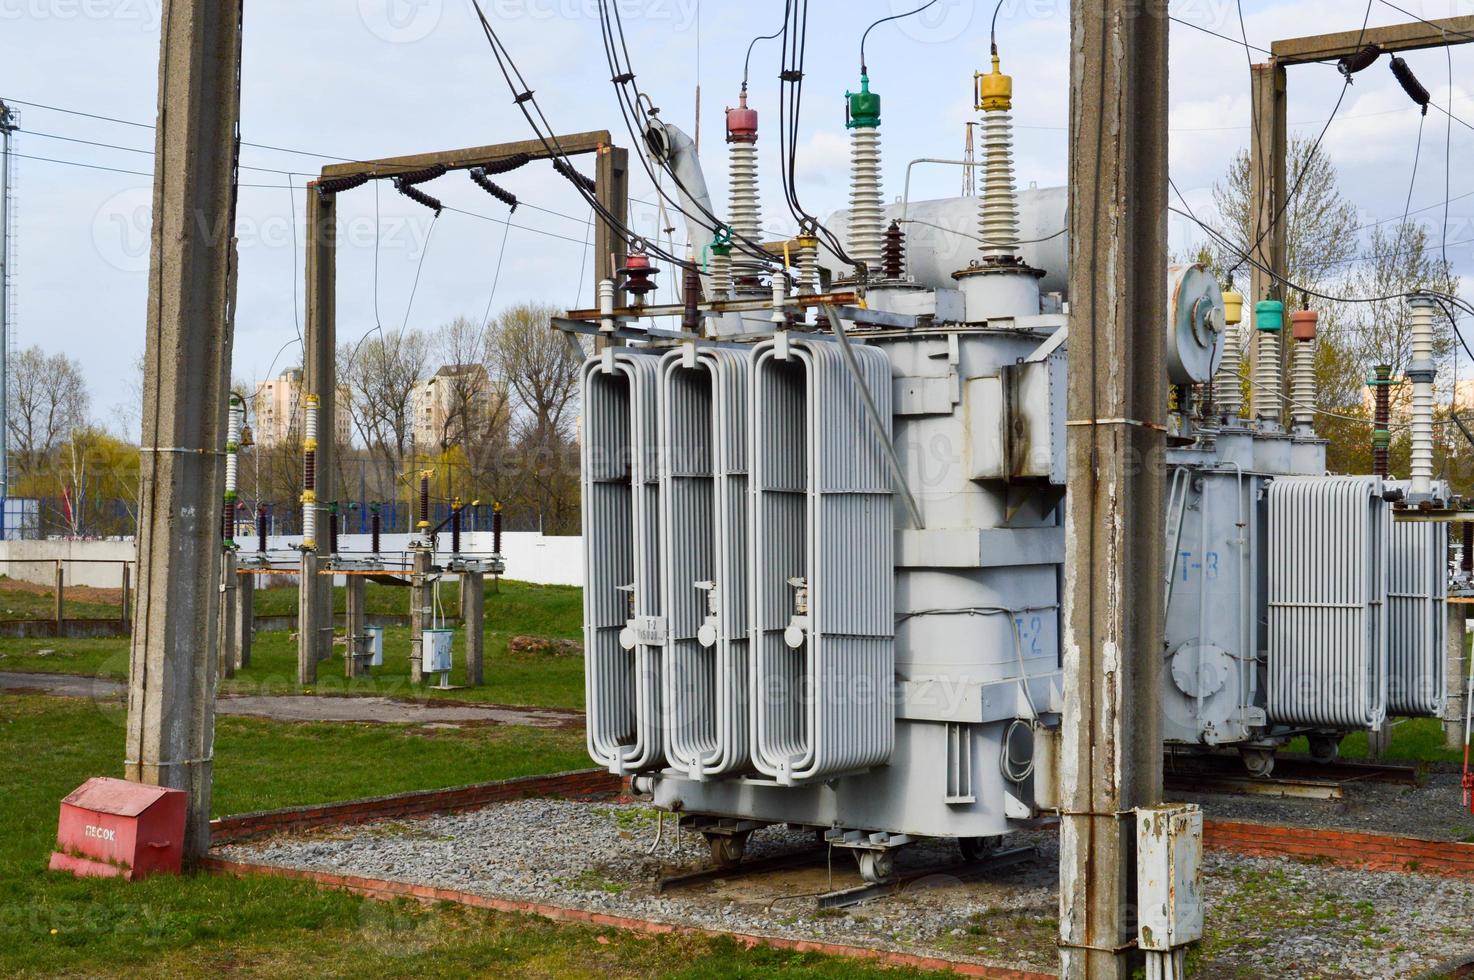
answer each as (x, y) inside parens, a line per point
(1327, 602)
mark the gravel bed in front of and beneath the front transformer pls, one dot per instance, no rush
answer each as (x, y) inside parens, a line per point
(1267, 917)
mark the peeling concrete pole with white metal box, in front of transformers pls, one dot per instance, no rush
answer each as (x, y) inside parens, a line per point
(1118, 397)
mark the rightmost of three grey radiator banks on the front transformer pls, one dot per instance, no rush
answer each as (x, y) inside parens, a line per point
(823, 658)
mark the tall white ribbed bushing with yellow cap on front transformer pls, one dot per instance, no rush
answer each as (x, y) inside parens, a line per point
(999, 284)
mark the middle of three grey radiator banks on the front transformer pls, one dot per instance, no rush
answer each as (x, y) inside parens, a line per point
(704, 537)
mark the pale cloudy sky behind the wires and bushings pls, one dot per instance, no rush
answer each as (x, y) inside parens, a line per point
(363, 79)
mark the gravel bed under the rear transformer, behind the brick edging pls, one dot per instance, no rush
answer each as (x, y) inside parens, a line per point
(1435, 810)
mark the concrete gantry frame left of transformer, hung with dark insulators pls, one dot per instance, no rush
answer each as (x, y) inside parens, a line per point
(611, 189)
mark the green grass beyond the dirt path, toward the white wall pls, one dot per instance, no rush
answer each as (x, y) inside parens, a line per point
(518, 609)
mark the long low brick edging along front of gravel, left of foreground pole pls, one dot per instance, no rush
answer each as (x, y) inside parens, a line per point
(384, 891)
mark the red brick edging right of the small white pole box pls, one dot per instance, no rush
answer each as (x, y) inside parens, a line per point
(1342, 848)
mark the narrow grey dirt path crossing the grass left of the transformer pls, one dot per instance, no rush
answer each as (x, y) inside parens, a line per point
(306, 708)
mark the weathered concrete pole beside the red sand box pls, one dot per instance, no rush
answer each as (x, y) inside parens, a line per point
(186, 381)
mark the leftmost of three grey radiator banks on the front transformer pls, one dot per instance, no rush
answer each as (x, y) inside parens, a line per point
(624, 636)
